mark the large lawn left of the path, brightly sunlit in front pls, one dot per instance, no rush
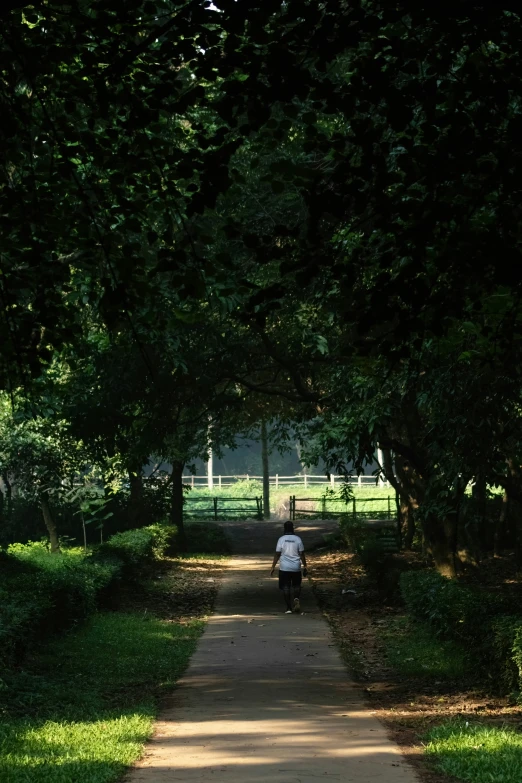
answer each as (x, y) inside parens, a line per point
(83, 708)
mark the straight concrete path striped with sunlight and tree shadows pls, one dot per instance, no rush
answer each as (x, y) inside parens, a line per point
(267, 698)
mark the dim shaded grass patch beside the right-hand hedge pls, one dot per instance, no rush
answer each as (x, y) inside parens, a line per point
(415, 651)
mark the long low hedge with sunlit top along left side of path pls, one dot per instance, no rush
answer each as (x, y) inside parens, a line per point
(41, 594)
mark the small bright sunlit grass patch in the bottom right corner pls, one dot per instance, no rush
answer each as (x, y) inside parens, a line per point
(476, 753)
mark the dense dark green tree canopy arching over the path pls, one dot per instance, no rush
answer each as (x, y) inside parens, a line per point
(221, 214)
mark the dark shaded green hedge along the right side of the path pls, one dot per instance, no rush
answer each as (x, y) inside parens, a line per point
(471, 616)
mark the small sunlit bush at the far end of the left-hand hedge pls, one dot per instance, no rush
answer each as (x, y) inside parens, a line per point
(137, 549)
